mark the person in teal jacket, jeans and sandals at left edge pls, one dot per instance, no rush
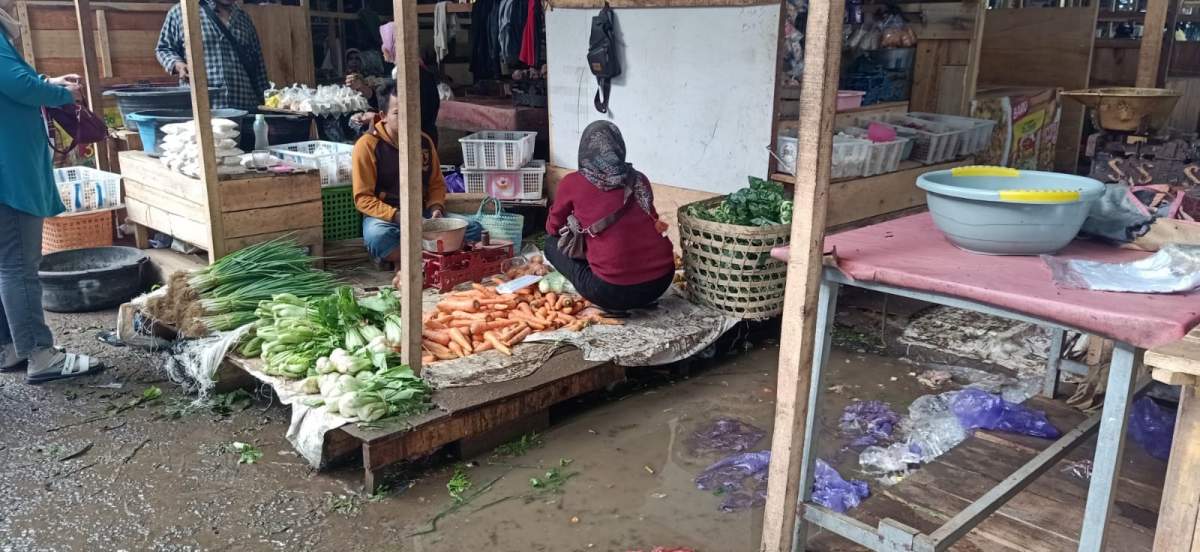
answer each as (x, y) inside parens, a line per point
(28, 196)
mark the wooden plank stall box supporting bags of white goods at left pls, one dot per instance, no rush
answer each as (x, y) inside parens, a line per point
(255, 208)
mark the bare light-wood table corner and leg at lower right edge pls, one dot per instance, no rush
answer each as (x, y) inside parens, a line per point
(1179, 364)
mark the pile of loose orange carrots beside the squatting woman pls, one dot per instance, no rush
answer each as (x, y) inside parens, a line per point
(481, 320)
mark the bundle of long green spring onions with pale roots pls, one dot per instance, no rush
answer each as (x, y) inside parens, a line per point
(232, 289)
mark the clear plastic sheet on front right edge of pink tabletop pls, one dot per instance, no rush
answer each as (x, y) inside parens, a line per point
(1173, 269)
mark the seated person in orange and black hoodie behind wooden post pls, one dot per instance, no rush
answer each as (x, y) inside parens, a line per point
(376, 163)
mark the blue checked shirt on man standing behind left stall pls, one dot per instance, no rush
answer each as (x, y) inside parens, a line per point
(238, 91)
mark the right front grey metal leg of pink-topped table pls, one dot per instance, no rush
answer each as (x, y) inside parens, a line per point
(1111, 446)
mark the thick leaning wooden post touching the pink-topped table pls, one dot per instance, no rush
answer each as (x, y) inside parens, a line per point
(823, 56)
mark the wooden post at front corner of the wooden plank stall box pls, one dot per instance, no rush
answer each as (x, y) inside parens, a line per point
(202, 113)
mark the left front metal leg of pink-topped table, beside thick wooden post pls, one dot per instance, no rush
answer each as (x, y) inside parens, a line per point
(827, 307)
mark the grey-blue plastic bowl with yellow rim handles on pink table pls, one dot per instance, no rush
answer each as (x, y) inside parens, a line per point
(995, 211)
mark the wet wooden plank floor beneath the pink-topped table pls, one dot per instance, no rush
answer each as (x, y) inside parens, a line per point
(1045, 518)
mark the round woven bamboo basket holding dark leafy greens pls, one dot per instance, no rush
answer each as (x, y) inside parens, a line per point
(730, 267)
